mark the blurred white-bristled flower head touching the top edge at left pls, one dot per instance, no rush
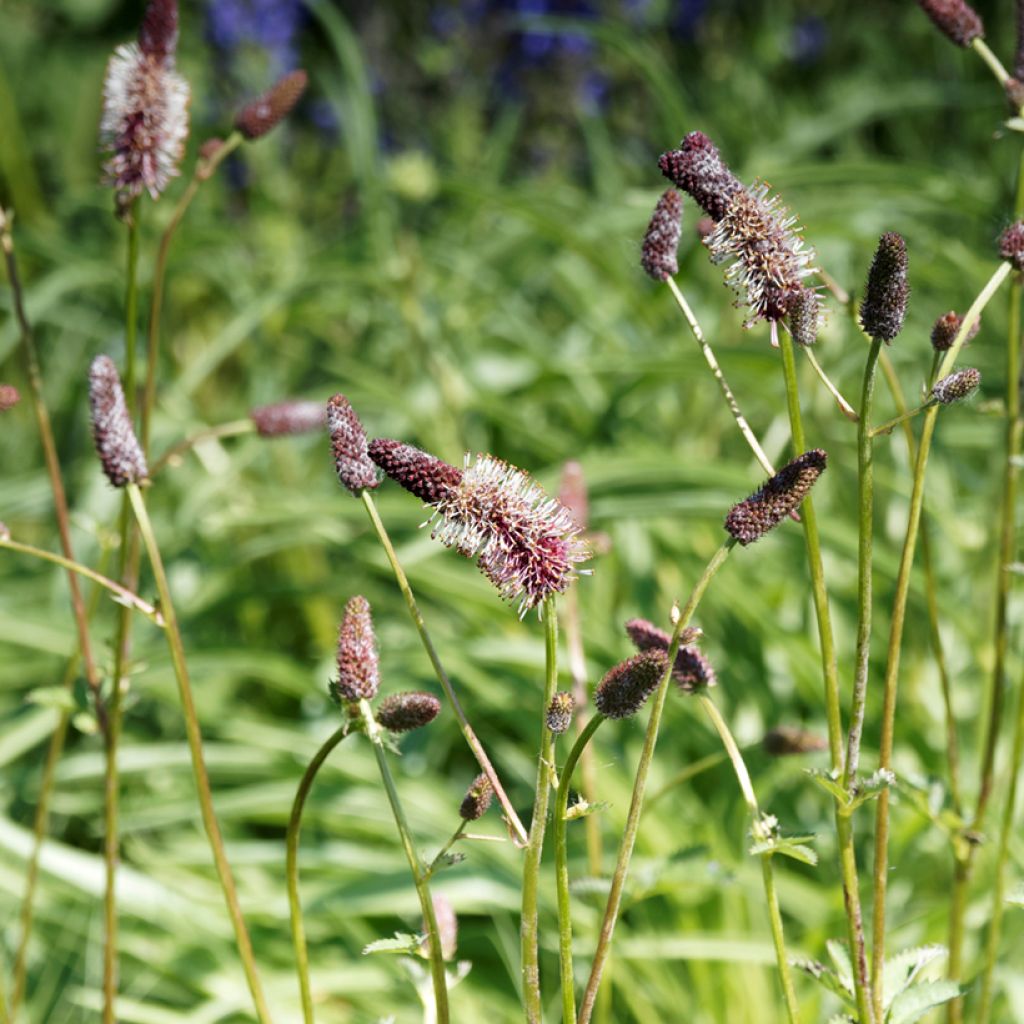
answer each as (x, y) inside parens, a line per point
(146, 108)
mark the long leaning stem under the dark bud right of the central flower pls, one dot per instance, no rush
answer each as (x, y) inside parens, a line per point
(641, 786)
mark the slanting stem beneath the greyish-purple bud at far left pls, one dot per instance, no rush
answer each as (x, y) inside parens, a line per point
(195, 738)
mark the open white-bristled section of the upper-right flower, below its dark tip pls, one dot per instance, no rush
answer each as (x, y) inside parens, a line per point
(761, 242)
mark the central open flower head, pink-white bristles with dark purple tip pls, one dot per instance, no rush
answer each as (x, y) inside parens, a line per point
(526, 543)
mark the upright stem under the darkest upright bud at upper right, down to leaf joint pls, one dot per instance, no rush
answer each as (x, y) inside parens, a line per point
(866, 539)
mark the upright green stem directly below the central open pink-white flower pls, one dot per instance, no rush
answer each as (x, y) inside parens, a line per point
(529, 928)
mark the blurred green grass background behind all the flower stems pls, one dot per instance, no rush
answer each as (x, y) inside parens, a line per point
(448, 233)
